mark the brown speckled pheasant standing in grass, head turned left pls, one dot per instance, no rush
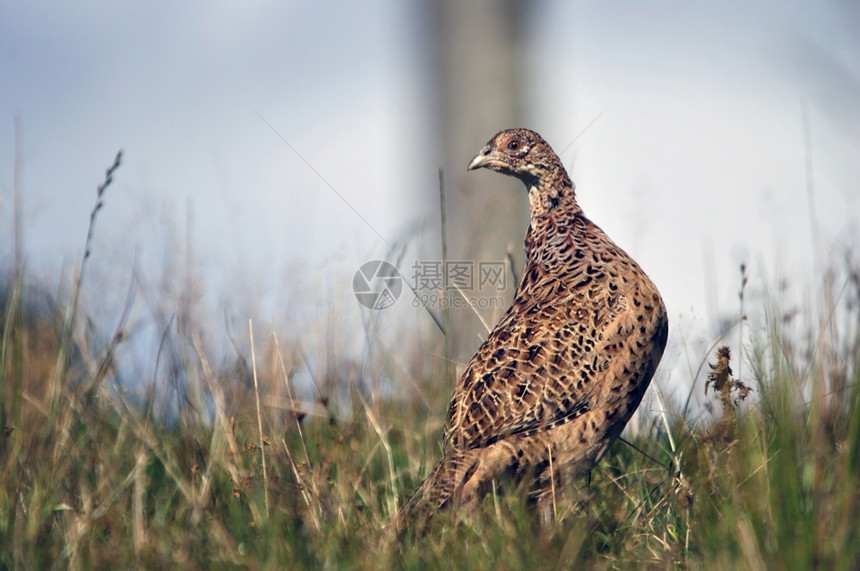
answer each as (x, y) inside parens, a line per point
(558, 378)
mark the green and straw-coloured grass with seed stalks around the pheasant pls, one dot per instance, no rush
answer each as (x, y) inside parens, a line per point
(91, 477)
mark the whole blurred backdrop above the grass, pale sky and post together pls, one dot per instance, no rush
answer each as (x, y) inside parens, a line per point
(272, 148)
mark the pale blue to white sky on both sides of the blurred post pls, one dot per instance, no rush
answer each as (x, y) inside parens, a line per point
(696, 164)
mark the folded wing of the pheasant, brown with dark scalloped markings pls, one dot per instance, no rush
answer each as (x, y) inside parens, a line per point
(540, 366)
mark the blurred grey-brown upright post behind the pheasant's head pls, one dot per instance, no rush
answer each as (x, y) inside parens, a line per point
(478, 70)
